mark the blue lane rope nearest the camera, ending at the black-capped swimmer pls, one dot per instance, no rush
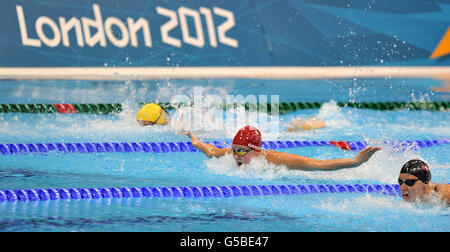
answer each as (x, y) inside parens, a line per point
(189, 192)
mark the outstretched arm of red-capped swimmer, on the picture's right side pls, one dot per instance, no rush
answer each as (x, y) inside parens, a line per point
(297, 162)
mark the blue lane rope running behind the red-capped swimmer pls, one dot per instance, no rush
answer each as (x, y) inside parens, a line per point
(166, 147)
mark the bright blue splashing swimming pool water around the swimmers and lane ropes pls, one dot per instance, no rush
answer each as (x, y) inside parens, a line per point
(312, 212)
